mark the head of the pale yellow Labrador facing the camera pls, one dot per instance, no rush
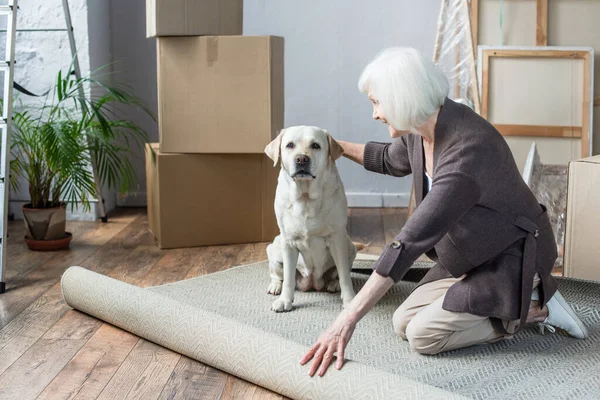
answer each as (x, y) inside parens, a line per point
(305, 151)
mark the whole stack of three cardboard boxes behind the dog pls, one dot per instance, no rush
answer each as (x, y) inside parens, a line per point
(220, 102)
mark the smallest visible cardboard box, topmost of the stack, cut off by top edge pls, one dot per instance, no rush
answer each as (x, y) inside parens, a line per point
(193, 17)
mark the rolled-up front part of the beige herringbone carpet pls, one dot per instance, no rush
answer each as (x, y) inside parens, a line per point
(263, 358)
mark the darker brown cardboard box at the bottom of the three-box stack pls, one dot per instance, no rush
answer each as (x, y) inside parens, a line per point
(210, 199)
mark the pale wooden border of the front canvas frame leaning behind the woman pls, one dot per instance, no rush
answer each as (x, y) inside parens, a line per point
(585, 53)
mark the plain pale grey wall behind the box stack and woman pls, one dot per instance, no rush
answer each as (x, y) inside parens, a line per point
(327, 43)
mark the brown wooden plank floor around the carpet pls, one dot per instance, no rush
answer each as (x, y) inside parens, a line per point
(49, 351)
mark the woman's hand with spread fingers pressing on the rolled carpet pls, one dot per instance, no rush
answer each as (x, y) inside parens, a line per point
(333, 340)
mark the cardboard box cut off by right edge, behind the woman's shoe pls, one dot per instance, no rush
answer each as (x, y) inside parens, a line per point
(582, 234)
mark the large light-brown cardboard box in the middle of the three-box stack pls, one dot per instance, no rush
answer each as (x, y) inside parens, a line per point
(219, 94)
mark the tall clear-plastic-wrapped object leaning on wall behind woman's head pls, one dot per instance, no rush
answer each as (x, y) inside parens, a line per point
(454, 52)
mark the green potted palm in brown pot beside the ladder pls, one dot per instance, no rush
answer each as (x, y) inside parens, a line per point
(54, 144)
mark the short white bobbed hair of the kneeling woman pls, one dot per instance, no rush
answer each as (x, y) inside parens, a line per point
(408, 86)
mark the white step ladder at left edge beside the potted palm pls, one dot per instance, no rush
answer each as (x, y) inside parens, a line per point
(8, 68)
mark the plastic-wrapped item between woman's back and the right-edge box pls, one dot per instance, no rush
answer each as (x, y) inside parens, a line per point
(548, 182)
